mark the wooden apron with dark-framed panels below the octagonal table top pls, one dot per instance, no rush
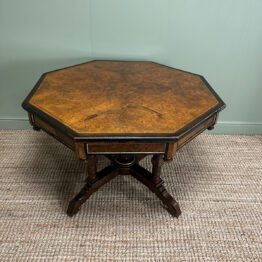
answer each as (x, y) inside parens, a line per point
(83, 149)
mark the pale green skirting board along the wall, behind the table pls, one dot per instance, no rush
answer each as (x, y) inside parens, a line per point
(222, 127)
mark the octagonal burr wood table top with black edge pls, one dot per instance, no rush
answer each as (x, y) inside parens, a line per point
(122, 98)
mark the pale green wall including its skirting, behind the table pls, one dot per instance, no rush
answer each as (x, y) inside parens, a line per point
(220, 39)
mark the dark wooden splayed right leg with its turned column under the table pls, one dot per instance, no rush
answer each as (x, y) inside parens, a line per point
(155, 184)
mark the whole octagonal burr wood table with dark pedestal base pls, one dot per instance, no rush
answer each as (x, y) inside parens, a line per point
(124, 111)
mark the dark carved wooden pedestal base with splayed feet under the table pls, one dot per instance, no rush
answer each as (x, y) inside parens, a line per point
(124, 165)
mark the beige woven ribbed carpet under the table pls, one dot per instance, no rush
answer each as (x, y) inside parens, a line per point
(216, 179)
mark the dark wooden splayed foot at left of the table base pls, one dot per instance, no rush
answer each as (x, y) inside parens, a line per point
(95, 181)
